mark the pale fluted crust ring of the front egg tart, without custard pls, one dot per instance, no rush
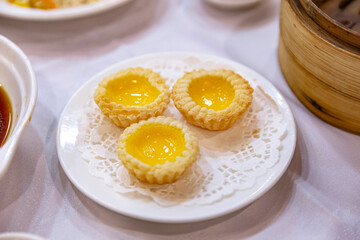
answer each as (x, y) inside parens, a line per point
(168, 171)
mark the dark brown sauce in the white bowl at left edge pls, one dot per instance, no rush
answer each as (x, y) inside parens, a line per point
(5, 115)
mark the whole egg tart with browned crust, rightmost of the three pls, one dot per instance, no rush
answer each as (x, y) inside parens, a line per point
(212, 99)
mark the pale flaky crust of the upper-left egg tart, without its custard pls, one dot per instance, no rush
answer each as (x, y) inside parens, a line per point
(124, 116)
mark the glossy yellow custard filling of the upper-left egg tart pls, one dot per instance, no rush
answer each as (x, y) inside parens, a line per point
(132, 90)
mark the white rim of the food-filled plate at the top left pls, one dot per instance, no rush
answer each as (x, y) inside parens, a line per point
(9, 10)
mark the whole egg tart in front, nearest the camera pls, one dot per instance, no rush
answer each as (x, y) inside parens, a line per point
(158, 150)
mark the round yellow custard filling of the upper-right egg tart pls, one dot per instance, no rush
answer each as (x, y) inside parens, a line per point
(212, 92)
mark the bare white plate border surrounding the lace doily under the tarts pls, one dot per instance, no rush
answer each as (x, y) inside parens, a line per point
(95, 188)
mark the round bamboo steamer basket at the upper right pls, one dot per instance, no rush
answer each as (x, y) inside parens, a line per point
(320, 59)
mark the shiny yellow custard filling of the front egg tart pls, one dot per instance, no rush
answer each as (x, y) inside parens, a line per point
(156, 143)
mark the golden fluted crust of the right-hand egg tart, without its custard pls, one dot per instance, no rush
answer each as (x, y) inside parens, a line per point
(209, 118)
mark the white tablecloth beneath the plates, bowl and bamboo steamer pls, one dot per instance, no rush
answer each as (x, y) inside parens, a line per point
(318, 197)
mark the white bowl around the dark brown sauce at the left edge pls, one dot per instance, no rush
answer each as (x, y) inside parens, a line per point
(18, 80)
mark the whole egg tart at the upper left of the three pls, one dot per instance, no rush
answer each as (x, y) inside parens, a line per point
(131, 95)
